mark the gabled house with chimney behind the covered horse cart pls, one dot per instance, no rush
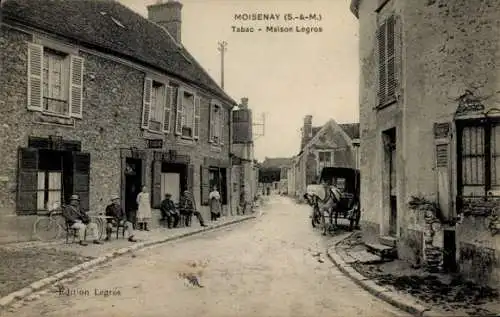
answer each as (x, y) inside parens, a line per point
(331, 145)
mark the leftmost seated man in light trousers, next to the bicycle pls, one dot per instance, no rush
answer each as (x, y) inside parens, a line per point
(79, 220)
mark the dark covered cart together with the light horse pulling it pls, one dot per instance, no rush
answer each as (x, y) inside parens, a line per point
(336, 197)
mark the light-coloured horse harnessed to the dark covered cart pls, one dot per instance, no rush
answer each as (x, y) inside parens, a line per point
(323, 198)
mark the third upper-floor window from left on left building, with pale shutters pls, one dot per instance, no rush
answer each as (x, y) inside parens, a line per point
(188, 115)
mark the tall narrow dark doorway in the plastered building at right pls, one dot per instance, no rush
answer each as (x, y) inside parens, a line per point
(389, 138)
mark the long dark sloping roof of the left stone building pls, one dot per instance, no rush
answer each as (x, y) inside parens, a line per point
(91, 24)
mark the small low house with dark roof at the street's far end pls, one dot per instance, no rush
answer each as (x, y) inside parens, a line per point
(273, 173)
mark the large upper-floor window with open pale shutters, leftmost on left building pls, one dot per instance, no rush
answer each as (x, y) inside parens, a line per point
(55, 81)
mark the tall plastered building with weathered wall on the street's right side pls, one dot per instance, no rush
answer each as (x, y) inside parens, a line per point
(429, 120)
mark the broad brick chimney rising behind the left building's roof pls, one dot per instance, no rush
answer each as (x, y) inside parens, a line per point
(167, 14)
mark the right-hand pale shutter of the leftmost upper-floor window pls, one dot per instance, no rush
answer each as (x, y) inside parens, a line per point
(76, 87)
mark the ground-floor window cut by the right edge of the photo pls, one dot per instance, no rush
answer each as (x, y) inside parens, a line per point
(479, 158)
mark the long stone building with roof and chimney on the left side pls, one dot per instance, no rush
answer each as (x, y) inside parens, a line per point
(97, 100)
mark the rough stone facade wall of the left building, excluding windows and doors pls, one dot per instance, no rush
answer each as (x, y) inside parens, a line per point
(112, 111)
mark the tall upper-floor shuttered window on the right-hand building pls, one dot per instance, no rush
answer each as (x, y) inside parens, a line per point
(388, 60)
